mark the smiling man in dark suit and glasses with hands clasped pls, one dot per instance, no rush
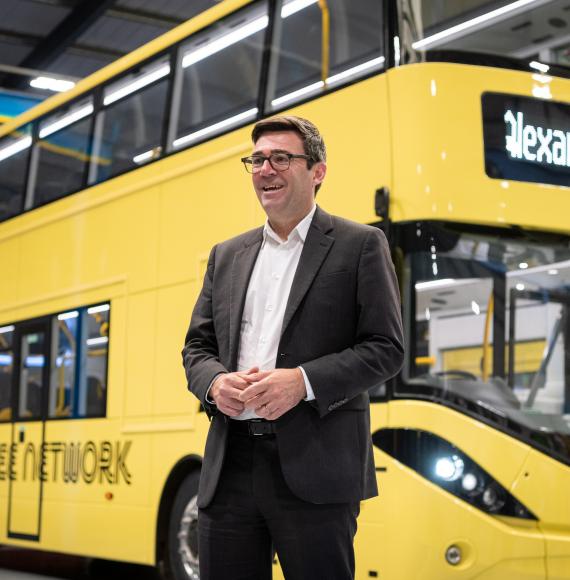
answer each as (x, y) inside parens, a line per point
(295, 322)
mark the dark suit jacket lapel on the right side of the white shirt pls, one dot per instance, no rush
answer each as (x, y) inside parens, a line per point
(316, 247)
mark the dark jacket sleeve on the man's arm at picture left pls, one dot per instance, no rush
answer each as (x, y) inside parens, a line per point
(200, 354)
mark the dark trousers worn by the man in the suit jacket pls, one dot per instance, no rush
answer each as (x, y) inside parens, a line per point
(254, 512)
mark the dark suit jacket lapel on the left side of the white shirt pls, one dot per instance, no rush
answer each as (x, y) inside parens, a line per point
(242, 267)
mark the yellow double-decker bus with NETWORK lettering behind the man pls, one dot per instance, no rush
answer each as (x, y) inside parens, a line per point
(448, 125)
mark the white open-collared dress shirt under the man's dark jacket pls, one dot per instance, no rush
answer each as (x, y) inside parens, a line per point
(266, 299)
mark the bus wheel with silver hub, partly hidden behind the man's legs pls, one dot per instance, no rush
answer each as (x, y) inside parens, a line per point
(183, 531)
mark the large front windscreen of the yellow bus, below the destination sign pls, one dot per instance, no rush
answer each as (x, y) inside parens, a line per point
(491, 321)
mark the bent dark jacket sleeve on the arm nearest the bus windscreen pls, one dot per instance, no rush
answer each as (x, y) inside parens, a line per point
(378, 350)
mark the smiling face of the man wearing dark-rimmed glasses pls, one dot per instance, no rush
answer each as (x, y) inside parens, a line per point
(285, 195)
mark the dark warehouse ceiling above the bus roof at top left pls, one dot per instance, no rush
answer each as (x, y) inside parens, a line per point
(74, 38)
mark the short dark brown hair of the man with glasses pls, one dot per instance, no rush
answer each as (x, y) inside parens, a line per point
(313, 143)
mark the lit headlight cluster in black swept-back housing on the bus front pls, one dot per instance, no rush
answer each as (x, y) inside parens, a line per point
(448, 467)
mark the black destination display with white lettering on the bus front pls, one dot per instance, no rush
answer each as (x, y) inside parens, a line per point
(526, 139)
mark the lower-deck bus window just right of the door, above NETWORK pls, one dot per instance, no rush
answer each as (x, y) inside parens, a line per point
(79, 337)
